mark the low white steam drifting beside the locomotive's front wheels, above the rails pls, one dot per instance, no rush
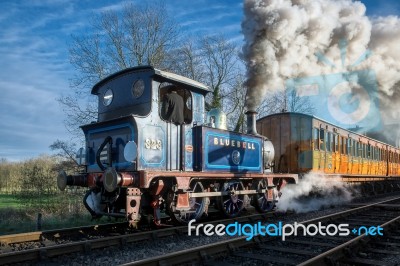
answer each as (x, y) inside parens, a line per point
(313, 192)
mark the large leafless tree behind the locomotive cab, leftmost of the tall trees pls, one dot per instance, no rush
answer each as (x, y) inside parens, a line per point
(137, 35)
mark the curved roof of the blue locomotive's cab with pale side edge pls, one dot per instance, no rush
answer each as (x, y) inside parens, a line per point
(157, 74)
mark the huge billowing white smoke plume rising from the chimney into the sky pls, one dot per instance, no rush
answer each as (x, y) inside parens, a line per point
(283, 39)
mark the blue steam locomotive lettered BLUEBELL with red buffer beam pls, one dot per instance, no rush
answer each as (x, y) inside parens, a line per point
(141, 160)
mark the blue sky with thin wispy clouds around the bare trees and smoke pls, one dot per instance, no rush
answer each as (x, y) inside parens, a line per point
(35, 68)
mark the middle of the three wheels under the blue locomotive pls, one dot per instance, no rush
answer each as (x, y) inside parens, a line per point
(232, 204)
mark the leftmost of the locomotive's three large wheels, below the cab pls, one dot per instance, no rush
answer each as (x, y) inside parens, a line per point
(197, 206)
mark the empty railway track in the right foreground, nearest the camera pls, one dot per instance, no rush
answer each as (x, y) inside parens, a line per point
(305, 250)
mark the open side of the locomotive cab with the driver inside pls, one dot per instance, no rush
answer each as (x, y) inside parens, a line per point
(167, 89)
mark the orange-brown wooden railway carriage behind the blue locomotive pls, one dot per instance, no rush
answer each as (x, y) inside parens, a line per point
(305, 143)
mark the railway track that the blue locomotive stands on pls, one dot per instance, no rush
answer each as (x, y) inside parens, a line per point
(37, 246)
